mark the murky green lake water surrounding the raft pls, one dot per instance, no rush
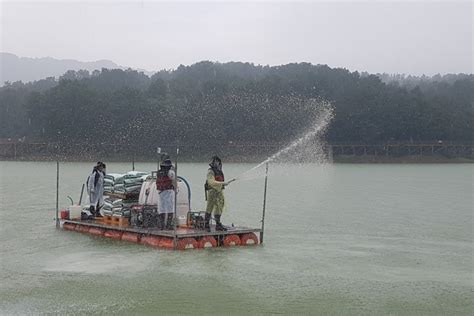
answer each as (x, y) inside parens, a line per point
(340, 239)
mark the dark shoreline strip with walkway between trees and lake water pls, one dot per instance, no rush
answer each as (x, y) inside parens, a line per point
(401, 153)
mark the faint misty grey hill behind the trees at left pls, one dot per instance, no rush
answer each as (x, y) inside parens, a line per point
(14, 68)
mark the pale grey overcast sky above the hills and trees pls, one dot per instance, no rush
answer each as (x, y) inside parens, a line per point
(412, 37)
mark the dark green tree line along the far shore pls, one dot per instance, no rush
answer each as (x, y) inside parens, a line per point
(215, 103)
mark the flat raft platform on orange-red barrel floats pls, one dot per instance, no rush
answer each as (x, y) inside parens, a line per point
(185, 238)
